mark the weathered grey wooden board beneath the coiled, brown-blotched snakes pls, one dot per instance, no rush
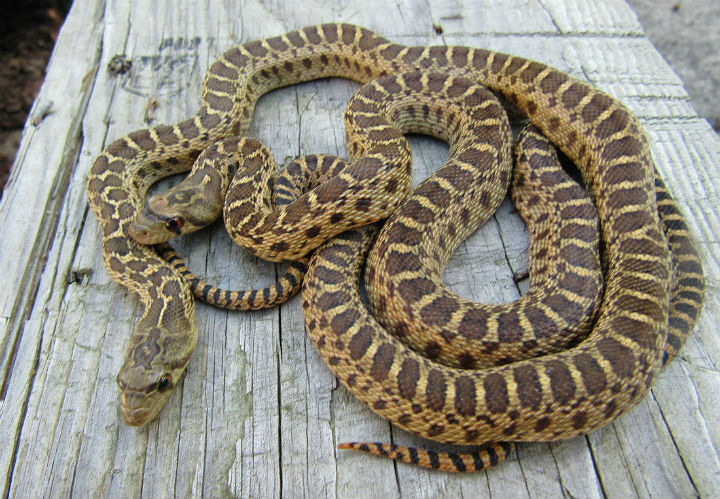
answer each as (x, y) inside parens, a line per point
(258, 414)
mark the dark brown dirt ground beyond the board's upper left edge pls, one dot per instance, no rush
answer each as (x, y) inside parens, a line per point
(27, 36)
